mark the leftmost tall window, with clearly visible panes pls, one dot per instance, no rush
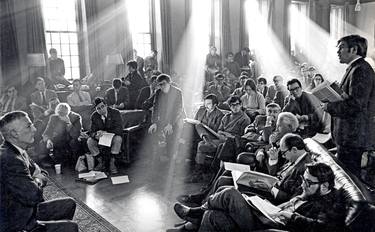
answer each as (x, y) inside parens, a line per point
(61, 33)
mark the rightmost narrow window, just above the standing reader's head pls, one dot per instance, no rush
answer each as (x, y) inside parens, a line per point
(337, 21)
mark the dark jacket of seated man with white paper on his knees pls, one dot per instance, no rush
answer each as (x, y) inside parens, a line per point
(113, 122)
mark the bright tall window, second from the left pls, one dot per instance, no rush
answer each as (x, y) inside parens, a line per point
(140, 25)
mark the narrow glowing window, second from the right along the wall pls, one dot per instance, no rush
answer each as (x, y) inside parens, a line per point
(298, 12)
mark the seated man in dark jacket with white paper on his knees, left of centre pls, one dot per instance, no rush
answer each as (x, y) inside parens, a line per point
(105, 120)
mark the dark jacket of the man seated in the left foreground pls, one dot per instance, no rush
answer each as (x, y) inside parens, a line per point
(20, 194)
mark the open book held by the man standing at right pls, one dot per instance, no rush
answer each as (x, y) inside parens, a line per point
(327, 92)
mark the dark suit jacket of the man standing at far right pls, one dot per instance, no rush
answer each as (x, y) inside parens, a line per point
(350, 117)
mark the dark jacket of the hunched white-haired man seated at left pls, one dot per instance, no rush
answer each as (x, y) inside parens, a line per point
(56, 127)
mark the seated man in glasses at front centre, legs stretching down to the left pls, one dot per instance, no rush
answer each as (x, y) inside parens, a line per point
(232, 124)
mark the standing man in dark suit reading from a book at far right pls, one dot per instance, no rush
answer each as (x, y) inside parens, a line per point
(351, 116)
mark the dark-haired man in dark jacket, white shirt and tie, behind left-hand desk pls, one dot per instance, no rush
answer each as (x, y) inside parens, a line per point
(118, 96)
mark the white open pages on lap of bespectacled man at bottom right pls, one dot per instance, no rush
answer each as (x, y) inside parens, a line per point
(265, 207)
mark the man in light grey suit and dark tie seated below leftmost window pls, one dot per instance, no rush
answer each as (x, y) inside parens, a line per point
(41, 98)
